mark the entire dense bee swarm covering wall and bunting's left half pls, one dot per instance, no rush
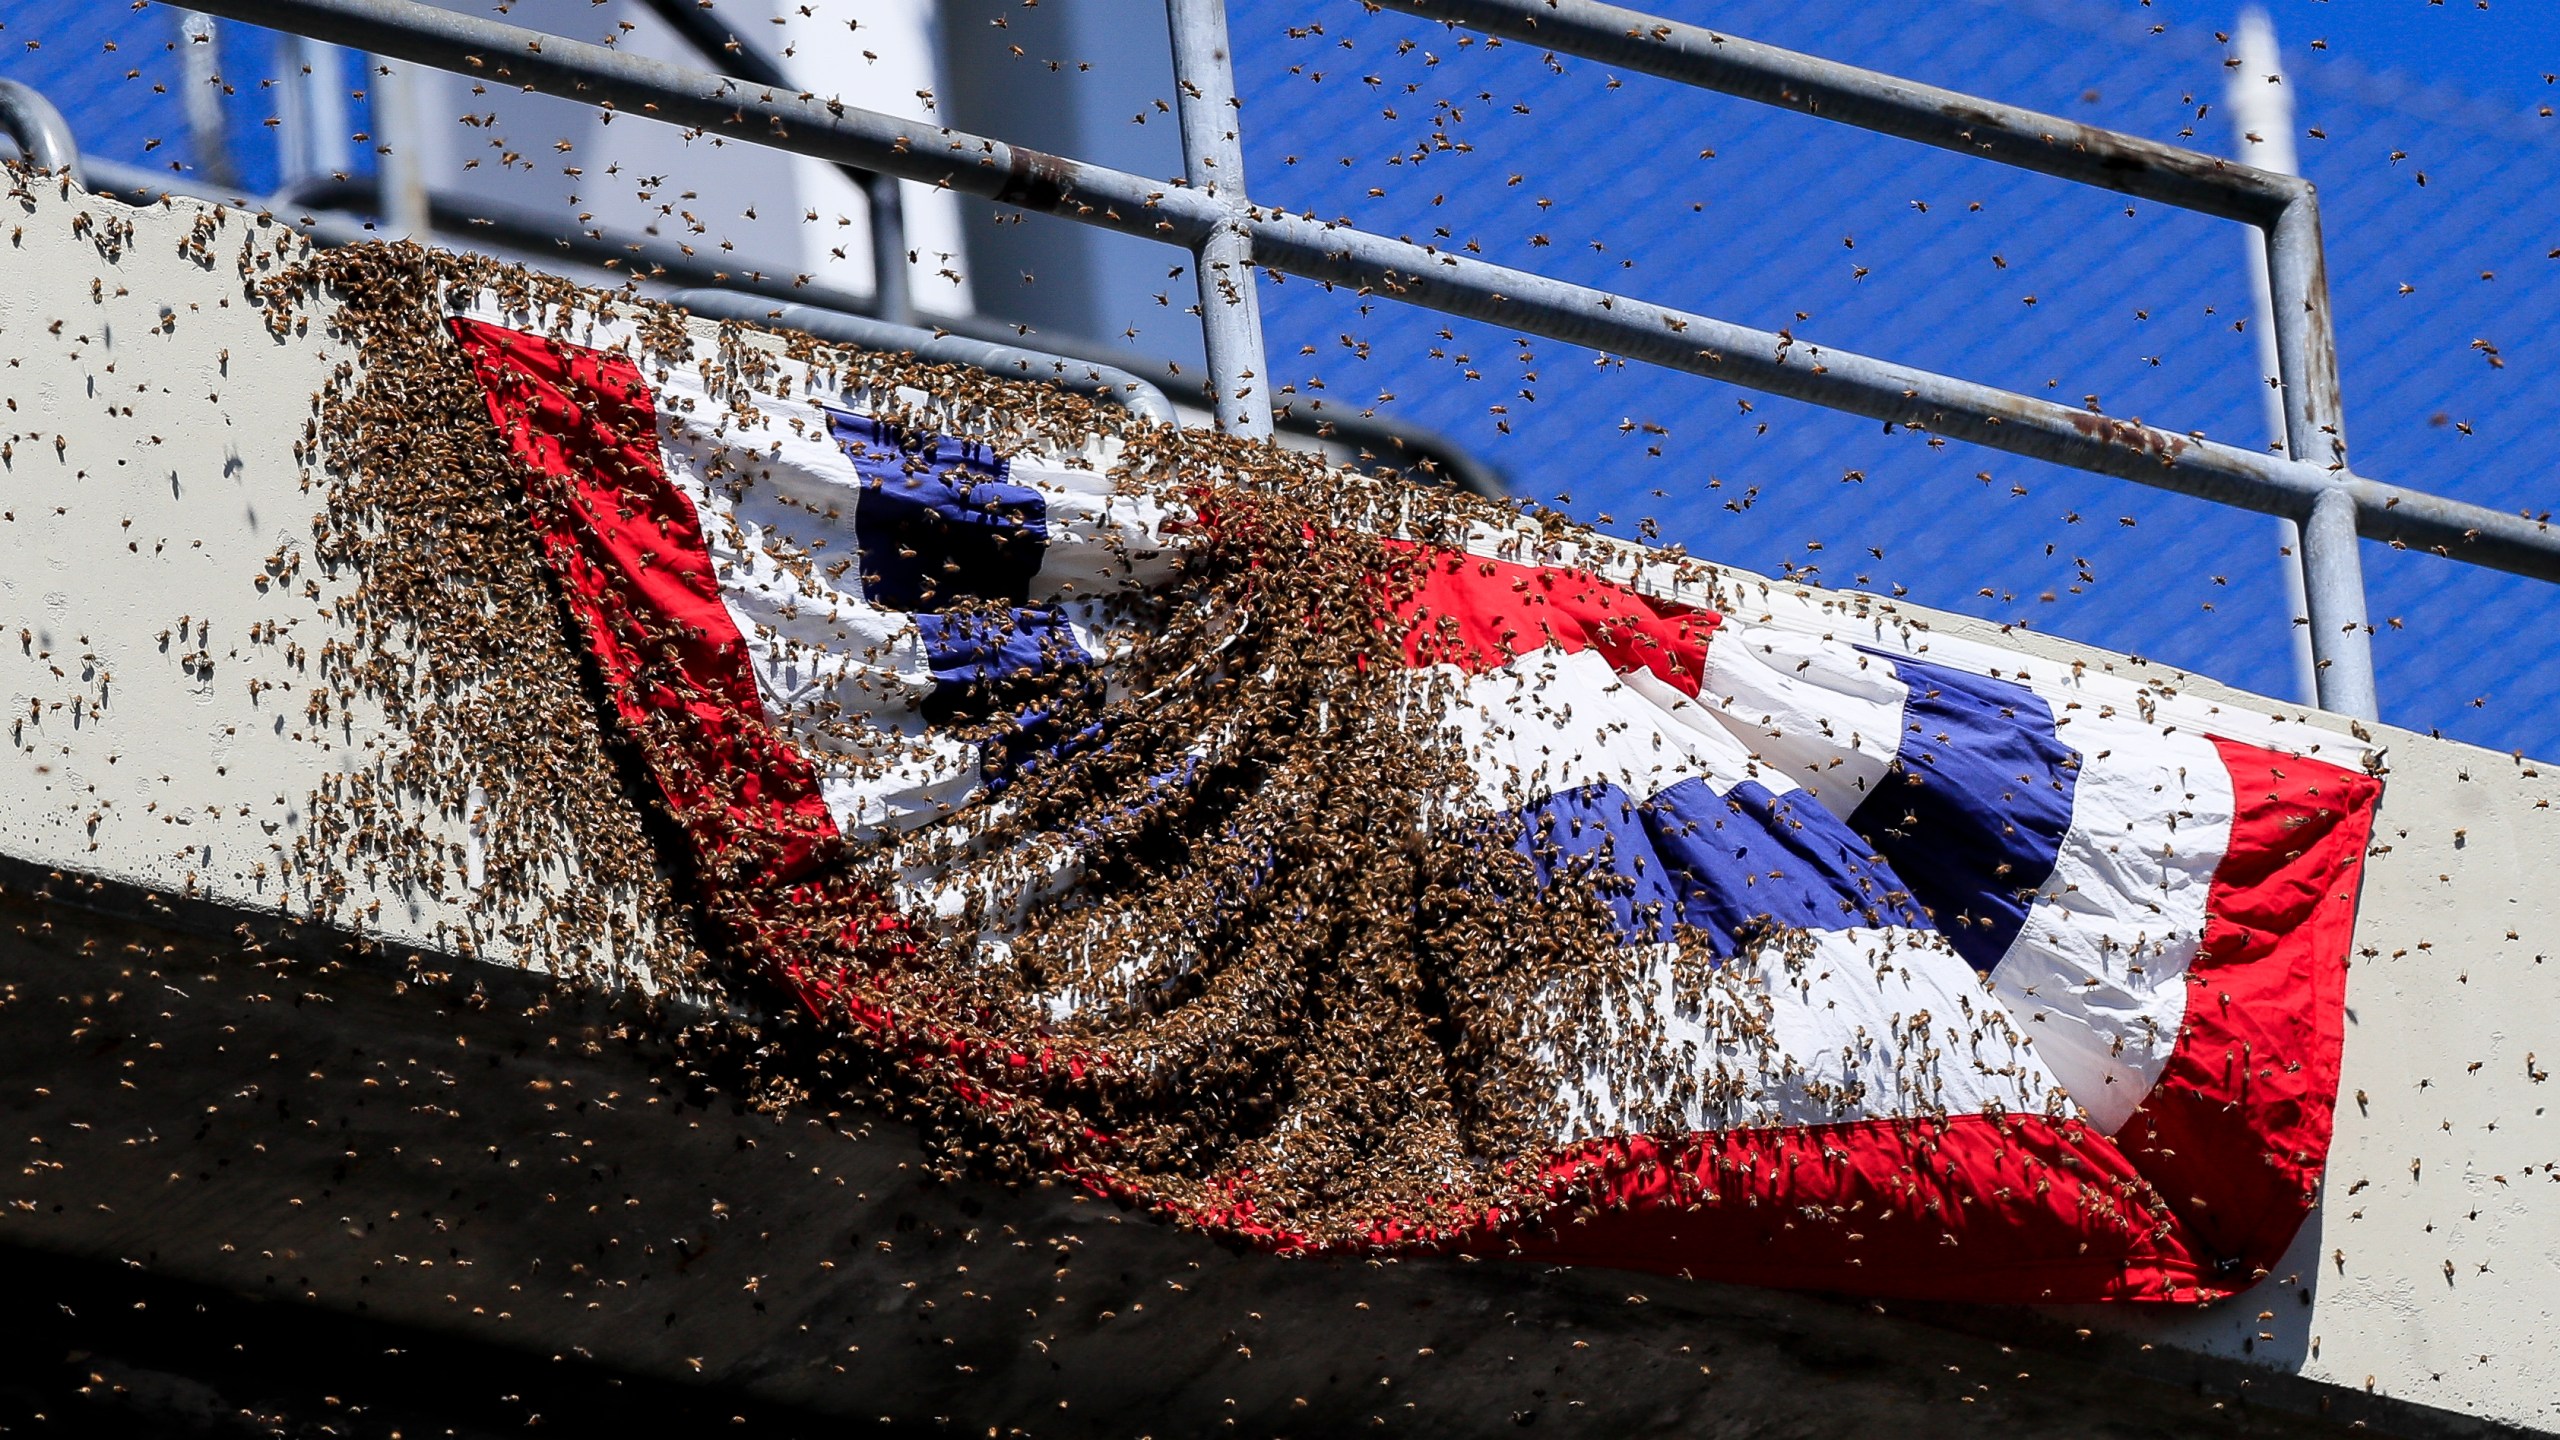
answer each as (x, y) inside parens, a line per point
(1315, 993)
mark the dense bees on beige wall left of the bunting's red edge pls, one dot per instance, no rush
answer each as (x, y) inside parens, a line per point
(454, 637)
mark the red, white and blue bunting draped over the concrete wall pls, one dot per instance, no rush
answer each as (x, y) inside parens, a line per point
(1903, 967)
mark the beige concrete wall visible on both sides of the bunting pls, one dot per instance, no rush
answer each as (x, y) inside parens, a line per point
(152, 478)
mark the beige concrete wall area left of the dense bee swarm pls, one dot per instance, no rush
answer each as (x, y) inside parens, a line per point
(152, 527)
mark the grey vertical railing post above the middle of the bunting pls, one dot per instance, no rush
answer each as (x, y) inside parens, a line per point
(1204, 86)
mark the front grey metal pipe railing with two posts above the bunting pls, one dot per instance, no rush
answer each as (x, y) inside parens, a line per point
(1230, 237)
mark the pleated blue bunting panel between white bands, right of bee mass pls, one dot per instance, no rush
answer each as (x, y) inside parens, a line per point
(1722, 865)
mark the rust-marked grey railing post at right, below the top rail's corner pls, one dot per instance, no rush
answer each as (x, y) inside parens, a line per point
(2316, 432)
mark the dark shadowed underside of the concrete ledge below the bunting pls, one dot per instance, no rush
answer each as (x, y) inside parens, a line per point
(488, 1177)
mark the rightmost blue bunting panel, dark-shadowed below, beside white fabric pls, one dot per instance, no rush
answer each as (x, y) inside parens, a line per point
(1978, 806)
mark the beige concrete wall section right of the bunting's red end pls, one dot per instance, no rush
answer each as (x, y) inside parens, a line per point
(2433, 1264)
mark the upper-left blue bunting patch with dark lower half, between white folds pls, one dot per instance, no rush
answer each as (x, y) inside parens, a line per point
(938, 519)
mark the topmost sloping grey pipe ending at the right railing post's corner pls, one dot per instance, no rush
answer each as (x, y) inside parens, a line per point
(1873, 101)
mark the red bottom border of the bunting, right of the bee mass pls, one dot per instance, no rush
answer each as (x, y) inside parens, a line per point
(1970, 1208)
